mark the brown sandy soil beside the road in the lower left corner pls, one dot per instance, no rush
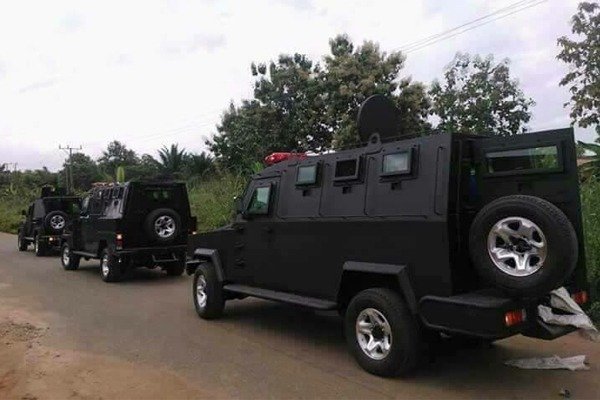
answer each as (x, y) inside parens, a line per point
(29, 369)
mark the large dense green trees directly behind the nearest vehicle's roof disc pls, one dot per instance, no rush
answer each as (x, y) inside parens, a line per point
(300, 106)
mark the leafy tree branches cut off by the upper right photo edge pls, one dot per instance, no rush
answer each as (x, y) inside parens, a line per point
(583, 56)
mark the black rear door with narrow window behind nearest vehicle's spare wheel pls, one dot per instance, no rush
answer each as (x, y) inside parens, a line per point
(541, 164)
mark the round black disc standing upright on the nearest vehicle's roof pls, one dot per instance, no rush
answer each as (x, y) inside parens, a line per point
(377, 114)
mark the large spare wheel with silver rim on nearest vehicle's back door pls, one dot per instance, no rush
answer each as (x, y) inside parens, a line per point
(523, 245)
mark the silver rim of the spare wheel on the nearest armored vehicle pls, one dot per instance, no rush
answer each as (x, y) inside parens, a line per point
(517, 246)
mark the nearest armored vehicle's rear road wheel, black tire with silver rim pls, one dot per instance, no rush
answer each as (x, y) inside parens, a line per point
(381, 333)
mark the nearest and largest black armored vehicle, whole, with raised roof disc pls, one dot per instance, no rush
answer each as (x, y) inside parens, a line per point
(408, 238)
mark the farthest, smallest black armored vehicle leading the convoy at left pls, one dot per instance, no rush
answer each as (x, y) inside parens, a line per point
(45, 220)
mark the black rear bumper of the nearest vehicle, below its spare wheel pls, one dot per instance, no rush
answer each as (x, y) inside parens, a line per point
(482, 314)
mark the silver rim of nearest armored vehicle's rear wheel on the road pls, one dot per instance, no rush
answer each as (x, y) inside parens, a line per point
(374, 334)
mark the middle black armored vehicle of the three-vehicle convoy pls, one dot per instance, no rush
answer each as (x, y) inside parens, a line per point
(136, 224)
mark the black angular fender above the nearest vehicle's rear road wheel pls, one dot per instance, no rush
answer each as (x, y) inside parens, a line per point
(358, 276)
